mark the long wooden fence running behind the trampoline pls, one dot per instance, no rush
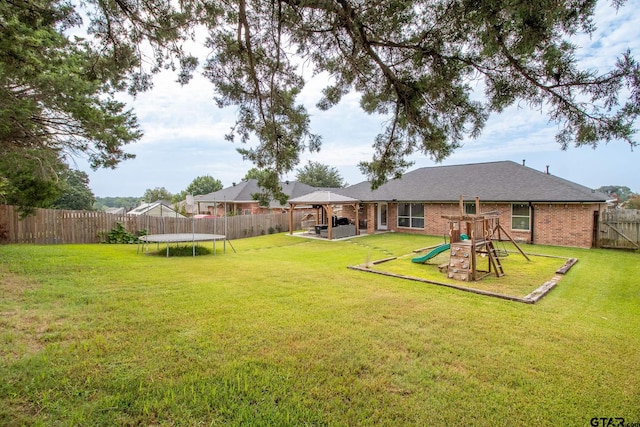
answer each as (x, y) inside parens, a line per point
(50, 226)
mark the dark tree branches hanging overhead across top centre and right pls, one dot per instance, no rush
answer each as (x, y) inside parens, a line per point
(414, 62)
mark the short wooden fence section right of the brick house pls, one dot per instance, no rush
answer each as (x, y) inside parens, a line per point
(619, 228)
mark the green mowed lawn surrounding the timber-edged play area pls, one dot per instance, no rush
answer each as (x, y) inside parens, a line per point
(282, 333)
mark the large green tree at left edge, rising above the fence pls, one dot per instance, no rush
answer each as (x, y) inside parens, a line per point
(57, 92)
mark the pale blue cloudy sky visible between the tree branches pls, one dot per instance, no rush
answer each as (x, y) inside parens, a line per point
(184, 131)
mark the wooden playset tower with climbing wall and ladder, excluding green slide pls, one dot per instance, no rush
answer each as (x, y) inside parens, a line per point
(472, 241)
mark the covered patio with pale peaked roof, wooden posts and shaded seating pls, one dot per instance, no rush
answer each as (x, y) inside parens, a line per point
(326, 223)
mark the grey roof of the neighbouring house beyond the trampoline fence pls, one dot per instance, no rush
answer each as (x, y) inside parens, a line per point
(242, 192)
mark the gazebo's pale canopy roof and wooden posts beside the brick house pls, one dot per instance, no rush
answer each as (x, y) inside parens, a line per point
(324, 202)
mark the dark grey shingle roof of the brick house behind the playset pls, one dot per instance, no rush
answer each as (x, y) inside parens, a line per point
(504, 181)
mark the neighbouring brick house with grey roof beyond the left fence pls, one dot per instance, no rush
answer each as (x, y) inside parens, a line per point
(238, 199)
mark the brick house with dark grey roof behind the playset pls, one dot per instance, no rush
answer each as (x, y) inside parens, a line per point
(534, 206)
